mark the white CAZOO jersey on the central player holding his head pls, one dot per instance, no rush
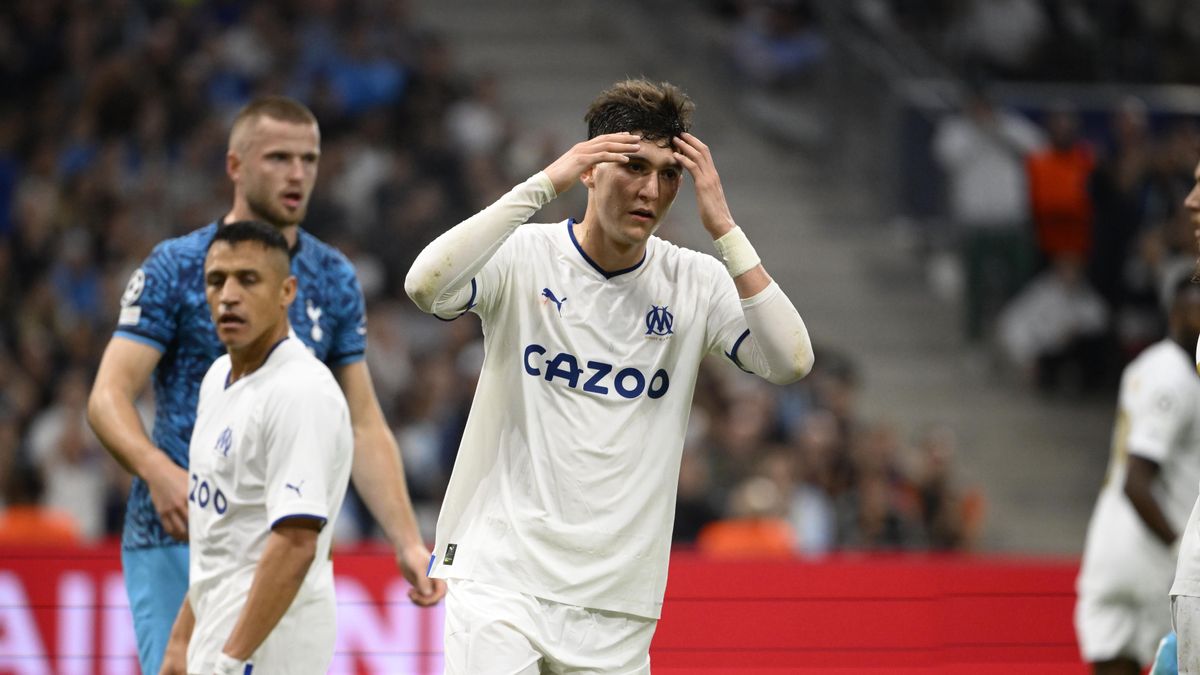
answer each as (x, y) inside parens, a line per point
(565, 486)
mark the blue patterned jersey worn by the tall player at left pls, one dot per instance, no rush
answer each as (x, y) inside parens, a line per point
(165, 307)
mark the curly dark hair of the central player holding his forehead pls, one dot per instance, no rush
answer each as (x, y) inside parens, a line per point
(657, 111)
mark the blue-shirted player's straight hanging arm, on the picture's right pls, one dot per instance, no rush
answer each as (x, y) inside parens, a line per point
(380, 479)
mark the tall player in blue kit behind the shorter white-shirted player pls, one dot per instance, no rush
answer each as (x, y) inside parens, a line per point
(165, 333)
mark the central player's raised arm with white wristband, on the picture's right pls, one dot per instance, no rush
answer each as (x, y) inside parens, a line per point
(778, 347)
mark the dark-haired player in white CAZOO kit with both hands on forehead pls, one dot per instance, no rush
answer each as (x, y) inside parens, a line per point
(556, 529)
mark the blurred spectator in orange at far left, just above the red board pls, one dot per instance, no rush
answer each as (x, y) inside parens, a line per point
(25, 521)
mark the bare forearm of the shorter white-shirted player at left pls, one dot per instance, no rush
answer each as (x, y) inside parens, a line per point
(290, 552)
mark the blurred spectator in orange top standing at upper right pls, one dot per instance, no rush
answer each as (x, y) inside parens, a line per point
(1059, 177)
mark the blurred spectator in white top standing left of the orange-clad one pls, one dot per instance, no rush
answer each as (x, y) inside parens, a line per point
(983, 152)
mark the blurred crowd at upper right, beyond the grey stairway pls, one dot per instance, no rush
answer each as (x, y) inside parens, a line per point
(1059, 225)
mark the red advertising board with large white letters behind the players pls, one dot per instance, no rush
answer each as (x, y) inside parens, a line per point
(65, 612)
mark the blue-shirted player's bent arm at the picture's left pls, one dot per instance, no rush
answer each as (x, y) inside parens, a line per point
(124, 372)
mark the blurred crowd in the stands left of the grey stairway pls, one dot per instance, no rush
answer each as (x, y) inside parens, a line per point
(112, 139)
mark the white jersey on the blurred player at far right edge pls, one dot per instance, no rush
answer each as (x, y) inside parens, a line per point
(1157, 413)
